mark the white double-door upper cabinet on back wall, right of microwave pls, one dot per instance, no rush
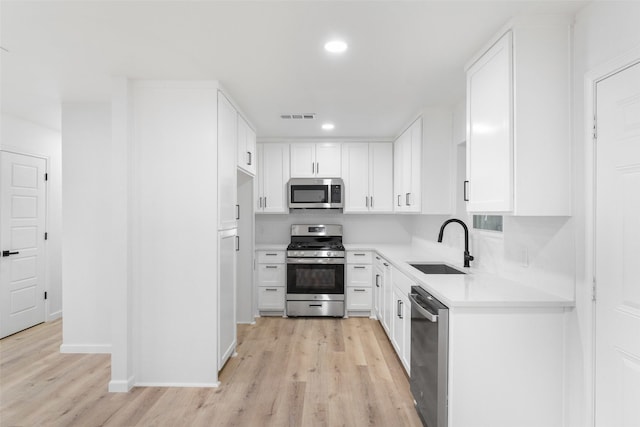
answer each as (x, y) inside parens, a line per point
(367, 171)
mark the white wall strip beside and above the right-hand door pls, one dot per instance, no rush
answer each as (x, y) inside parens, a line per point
(602, 32)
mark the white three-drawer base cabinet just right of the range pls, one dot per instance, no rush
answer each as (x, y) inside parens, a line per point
(358, 289)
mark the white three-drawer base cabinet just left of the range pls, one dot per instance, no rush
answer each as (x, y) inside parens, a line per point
(271, 281)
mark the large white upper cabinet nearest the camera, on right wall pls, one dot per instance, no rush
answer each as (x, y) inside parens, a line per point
(518, 121)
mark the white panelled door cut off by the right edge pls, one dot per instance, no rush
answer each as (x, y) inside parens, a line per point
(618, 249)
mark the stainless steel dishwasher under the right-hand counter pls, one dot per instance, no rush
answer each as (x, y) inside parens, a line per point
(429, 357)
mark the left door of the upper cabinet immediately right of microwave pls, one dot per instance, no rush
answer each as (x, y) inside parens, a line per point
(355, 173)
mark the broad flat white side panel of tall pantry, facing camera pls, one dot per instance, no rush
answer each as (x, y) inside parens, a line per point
(174, 222)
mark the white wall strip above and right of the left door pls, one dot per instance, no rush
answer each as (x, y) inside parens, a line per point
(26, 137)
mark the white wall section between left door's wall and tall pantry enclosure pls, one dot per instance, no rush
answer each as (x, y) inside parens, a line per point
(87, 247)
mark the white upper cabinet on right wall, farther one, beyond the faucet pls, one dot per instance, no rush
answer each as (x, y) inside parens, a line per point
(423, 165)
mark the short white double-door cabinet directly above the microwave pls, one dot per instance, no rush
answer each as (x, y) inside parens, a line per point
(320, 160)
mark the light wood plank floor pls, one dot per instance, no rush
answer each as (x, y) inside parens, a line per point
(288, 372)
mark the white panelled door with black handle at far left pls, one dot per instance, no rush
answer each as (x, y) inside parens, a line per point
(22, 225)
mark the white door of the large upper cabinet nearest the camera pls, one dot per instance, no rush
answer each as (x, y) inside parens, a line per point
(490, 138)
